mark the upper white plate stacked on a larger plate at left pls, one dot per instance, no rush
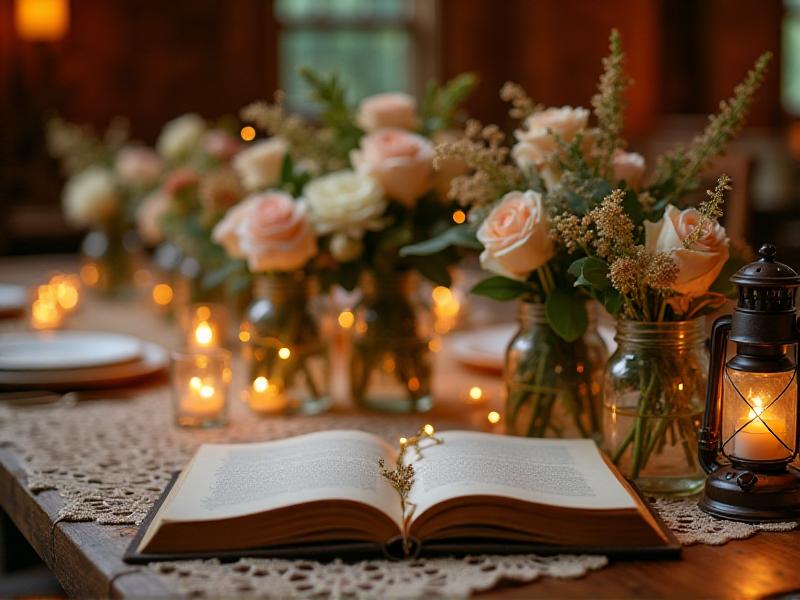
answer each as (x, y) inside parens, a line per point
(60, 350)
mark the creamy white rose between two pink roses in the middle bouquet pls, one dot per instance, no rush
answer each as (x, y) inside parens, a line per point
(345, 202)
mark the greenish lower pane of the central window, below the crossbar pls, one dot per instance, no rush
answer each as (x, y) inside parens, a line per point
(366, 62)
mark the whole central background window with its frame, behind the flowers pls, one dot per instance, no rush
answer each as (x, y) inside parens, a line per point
(372, 45)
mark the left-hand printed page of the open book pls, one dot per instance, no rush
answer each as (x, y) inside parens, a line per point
(231, 480)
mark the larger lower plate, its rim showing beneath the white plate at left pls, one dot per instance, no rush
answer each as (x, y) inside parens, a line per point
(153, 359)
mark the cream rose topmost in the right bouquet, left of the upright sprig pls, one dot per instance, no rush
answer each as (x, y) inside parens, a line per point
(537, 141)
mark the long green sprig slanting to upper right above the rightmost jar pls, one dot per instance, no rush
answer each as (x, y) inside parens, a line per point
(682, 166)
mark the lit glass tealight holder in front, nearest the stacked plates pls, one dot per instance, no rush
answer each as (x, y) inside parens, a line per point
(200, 383)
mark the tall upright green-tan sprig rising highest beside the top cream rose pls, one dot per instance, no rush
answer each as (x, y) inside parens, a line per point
(609, 102)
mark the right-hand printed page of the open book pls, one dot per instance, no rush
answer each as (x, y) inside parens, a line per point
(566, 473)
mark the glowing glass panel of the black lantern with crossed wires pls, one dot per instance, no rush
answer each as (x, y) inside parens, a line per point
(759, 415)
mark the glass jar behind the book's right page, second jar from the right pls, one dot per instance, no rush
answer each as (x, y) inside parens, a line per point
(554, 387)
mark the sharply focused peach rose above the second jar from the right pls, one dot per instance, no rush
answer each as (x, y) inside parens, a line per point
(516, 236)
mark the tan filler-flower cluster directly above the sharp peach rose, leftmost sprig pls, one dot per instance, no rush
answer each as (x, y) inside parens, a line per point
(483, 151)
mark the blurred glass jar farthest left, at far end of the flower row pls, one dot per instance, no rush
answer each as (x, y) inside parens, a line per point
(108, 261)
